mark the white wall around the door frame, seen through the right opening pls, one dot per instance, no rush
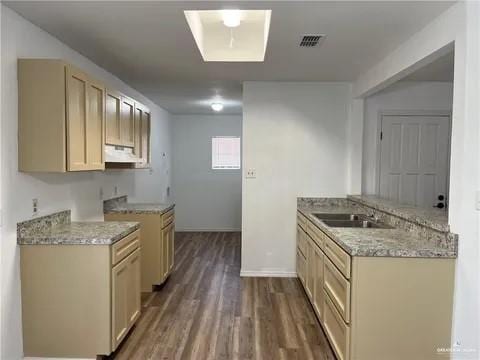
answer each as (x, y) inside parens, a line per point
(423, 96)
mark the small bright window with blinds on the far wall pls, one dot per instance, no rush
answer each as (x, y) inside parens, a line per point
(226, 152)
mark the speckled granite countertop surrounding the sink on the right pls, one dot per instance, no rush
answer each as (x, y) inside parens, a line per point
(374, 241)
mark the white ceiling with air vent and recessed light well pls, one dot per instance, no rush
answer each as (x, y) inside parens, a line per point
(149, 44)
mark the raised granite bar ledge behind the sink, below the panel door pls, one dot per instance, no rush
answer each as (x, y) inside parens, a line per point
(434, 218)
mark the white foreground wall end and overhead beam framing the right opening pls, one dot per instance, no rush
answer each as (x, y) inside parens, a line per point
(459, 24)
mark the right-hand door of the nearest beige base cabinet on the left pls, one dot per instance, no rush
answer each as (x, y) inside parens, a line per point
(133, 288)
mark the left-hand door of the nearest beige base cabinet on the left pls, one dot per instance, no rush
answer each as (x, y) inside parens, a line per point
(120, 283)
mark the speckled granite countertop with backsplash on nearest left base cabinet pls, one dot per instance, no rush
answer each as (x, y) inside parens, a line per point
(57, 229)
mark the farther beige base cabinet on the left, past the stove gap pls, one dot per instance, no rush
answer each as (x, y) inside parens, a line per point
(157, 243)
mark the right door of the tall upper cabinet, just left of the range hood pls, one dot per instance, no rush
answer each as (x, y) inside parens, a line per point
(95, 125)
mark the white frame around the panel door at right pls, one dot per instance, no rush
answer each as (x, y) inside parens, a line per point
(378, 144)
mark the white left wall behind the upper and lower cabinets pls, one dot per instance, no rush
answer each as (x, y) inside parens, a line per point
(77, 191)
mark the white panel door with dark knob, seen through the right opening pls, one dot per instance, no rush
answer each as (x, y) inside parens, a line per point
(414, 159)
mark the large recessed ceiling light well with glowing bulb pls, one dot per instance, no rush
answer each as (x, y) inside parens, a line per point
(230, 35)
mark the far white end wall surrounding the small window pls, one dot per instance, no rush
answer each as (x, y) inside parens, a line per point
(206, 199)
